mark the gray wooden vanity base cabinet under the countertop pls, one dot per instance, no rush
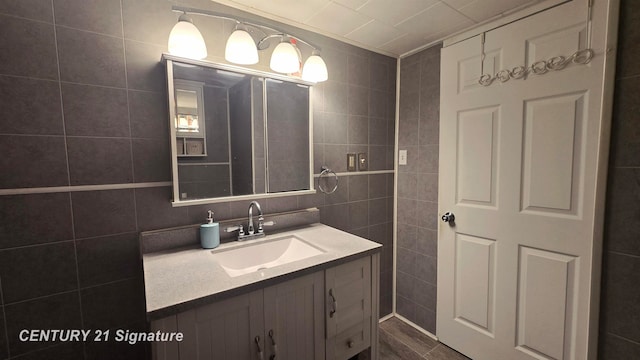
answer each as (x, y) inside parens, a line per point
(331, 314)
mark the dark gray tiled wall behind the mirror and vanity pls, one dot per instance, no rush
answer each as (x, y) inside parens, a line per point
(84, 93)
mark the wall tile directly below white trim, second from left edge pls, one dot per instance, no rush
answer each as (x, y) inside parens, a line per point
(106, 212)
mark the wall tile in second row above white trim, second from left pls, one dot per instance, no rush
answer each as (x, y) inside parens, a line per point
(95, 111)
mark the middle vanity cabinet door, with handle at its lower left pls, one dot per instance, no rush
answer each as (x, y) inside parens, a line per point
(293, 319)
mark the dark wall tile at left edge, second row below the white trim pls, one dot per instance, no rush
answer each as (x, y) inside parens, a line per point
(37, 271)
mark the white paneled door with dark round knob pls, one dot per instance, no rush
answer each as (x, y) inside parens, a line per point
(522, 167)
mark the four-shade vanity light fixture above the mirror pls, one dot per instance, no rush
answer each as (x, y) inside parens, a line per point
(241, 47)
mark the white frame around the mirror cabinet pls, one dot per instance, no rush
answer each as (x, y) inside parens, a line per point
(168, 60)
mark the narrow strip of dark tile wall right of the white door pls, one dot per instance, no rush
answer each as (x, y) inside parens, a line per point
(620, 300)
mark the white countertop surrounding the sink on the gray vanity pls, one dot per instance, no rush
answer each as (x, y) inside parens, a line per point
(181, 279)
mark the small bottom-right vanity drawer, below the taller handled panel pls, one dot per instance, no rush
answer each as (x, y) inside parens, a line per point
(350, 342)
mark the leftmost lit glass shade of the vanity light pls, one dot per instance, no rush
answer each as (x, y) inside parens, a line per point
(185, 40)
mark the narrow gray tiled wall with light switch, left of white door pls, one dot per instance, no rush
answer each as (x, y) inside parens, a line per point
(418, 188)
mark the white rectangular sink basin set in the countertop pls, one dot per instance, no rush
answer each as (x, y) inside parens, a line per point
(265, 254)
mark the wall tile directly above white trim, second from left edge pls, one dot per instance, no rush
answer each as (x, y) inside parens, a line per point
(99, 161)
